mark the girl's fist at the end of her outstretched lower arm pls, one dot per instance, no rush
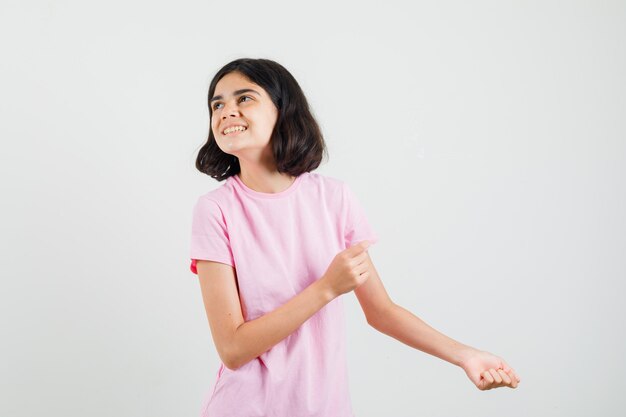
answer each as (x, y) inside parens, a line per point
(488, 371)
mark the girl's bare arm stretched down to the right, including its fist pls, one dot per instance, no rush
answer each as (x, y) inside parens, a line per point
(484, 369)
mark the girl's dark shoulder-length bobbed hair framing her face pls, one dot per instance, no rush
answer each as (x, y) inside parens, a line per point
(297, 142)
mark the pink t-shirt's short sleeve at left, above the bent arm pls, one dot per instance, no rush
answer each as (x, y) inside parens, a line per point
(209, 235)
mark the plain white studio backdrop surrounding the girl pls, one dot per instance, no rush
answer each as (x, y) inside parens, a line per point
(485, 140)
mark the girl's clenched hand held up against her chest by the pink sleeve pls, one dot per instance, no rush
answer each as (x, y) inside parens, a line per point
(348, 269)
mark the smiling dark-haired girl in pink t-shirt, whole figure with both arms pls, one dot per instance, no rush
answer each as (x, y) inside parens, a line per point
(276, 246)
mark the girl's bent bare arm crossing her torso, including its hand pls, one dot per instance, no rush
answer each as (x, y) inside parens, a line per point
(237, 341)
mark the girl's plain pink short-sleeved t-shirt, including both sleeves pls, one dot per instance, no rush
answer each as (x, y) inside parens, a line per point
(279, 244)
